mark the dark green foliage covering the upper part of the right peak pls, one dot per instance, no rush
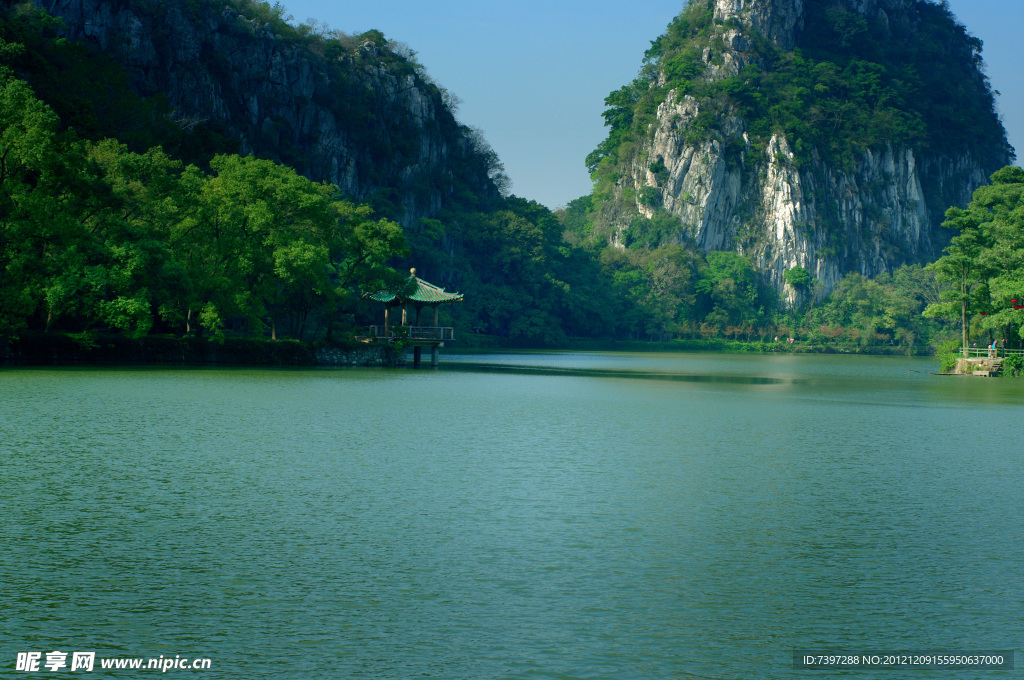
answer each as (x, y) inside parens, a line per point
(848, 87)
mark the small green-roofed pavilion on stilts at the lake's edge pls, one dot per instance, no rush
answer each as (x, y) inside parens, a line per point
(418, 294)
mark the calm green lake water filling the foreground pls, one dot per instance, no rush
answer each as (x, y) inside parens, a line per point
(536, 516)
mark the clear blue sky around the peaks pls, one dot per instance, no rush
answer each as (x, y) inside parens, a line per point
(534, 75)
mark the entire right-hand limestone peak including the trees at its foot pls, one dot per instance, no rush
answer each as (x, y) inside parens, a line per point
(816, 146)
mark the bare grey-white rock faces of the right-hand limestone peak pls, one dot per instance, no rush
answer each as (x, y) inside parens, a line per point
(871, 218)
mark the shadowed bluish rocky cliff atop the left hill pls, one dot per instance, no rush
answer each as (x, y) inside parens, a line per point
(358, 118)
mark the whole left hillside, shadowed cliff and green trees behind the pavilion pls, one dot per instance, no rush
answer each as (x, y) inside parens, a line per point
(167, 229)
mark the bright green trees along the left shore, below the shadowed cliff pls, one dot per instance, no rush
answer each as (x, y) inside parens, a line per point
(98, 237)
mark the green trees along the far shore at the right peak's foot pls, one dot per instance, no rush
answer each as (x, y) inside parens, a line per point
(677, 292)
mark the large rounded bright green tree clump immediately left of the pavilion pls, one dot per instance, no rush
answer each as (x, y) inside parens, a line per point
(263, 237)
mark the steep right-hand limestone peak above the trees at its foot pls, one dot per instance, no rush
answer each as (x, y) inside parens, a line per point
(825, 136)
